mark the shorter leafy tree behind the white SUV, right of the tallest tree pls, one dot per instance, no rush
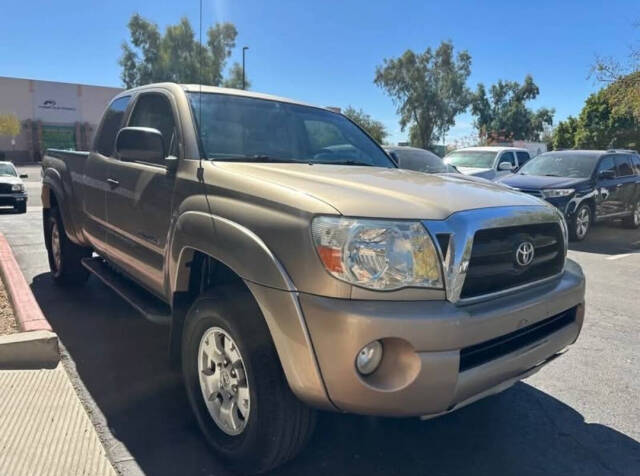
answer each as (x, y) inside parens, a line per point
(502, 115)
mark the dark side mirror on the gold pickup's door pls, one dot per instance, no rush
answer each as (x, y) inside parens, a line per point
(140, 143)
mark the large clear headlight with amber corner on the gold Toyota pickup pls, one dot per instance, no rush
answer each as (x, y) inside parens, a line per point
(377, 254)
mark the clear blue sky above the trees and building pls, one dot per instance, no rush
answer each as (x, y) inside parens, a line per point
(325, 52)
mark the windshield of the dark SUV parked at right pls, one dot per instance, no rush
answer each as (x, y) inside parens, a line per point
(561, 165)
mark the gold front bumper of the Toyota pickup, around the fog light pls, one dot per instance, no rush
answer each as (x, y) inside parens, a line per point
(421, 372)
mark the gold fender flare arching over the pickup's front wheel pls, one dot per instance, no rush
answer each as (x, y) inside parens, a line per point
(248, 256)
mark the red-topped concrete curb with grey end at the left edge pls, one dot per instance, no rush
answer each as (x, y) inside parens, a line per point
(32, 349)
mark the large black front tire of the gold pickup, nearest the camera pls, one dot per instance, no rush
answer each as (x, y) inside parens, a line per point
(277, 425)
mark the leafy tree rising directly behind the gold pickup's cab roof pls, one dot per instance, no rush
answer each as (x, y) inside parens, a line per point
(177, 56)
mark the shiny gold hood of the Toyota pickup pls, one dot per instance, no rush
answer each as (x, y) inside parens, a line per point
(376, 192)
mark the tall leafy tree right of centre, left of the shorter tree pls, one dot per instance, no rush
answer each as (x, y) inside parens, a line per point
(428, 89)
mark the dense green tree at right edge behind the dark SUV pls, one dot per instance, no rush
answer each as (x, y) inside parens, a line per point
(601, 126)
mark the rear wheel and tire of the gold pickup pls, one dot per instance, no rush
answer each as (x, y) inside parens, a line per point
(64, 255)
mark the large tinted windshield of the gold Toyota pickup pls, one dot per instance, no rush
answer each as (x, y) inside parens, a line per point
(236, 128)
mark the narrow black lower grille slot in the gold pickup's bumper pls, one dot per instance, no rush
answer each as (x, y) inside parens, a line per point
(487, 351)
